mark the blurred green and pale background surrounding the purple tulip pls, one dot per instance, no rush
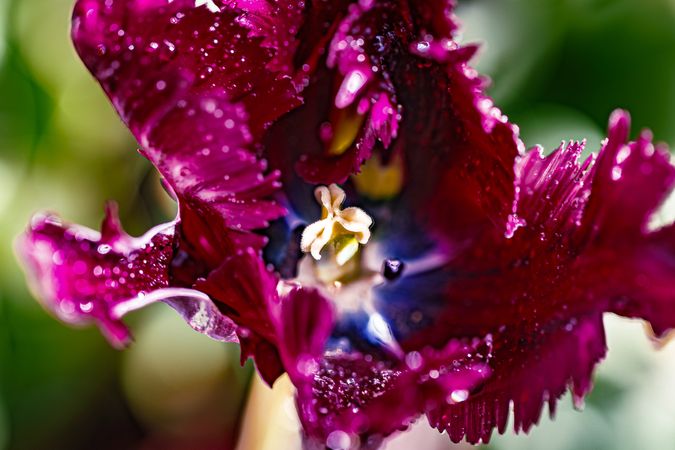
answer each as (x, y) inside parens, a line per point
(559, 68)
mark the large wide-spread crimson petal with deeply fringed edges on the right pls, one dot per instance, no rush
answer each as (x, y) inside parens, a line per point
(576, 245)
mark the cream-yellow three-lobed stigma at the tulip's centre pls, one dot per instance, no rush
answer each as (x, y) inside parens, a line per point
(347, 228)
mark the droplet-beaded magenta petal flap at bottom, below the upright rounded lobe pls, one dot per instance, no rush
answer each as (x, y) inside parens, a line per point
(362, 396)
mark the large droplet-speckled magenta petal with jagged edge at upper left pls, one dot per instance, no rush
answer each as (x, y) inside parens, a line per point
(192, 87)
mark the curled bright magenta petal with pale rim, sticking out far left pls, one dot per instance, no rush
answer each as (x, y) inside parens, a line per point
(83, 276)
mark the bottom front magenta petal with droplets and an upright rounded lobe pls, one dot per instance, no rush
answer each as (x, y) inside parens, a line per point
(357, 396)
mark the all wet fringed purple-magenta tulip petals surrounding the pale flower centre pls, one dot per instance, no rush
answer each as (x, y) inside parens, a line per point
(210, 88)
